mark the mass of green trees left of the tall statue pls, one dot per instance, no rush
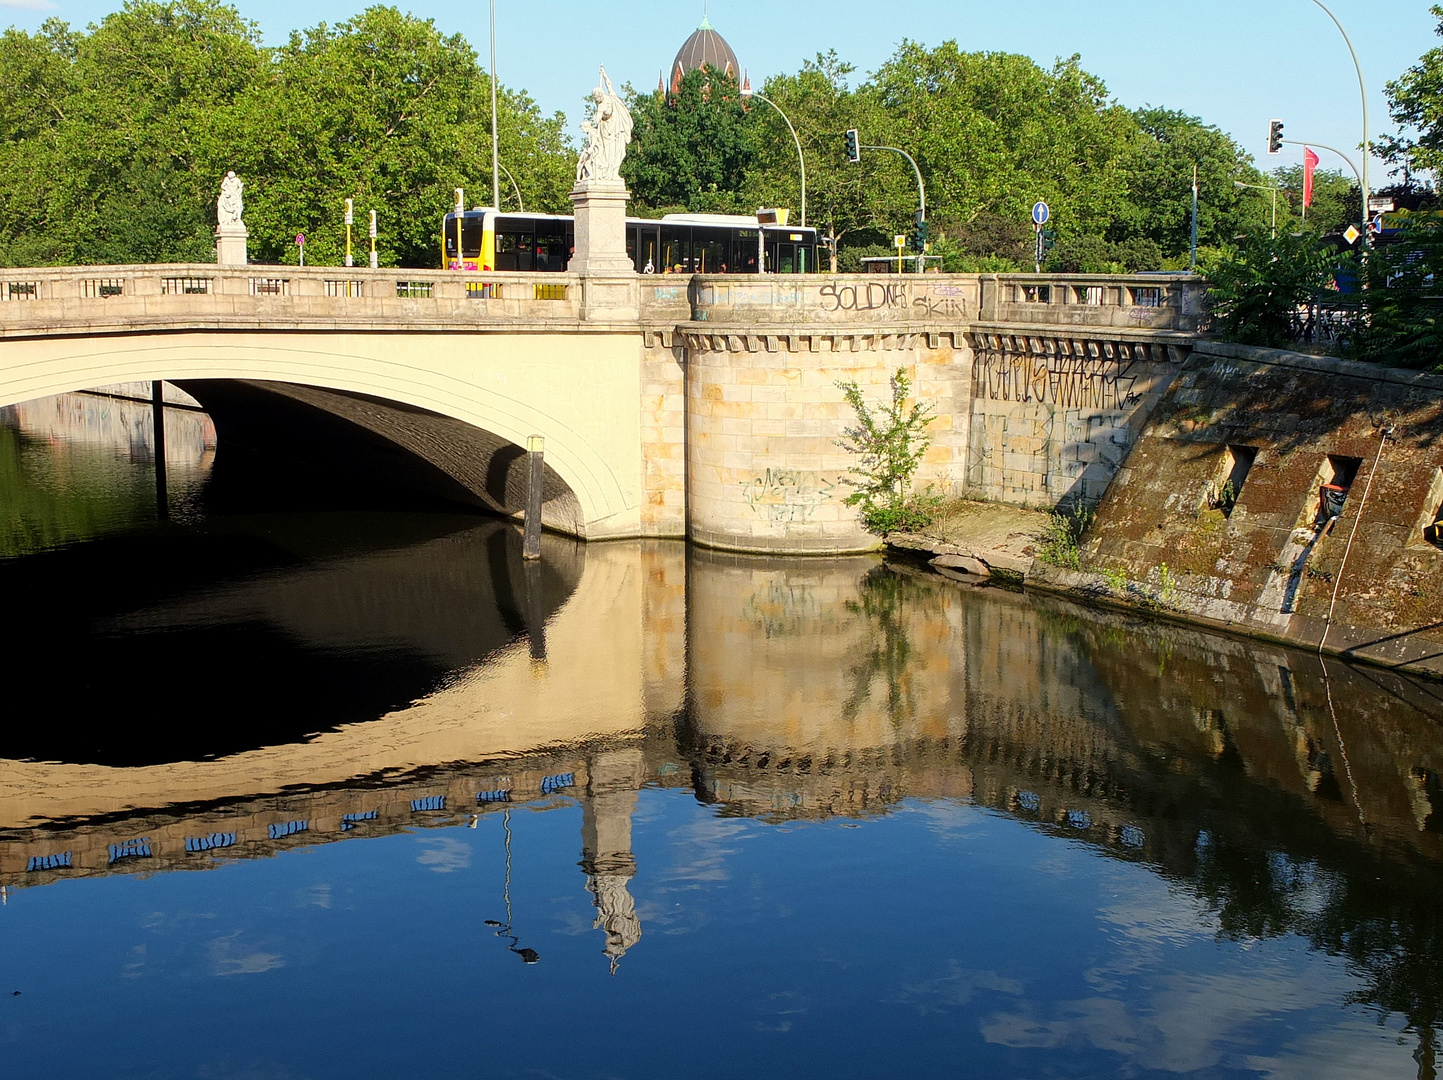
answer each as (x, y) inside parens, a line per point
(115, 141)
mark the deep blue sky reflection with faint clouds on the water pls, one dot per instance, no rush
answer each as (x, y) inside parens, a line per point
(934, 936)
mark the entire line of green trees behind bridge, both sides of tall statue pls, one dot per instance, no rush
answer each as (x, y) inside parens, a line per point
(115, 139)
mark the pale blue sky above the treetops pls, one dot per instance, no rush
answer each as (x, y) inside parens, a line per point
(1233, 63)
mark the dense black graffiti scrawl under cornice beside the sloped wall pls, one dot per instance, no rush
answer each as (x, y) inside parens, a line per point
(1066, 382)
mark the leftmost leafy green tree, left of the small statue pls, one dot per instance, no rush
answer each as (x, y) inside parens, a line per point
(110, 148)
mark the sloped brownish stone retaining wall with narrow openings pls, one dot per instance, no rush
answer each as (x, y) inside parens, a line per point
(1284, 496)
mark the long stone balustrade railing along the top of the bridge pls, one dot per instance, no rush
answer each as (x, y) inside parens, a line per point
(93, 298)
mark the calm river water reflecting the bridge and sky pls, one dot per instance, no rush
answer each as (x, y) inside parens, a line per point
(359, 795)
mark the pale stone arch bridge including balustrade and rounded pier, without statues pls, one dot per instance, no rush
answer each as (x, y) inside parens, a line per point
(703, 408)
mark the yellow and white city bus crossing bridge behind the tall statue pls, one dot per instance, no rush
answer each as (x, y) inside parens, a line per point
(677, 243)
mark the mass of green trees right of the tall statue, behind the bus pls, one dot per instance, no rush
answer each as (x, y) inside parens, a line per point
(991, 132)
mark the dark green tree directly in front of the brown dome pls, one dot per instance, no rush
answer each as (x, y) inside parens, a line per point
(693, 148)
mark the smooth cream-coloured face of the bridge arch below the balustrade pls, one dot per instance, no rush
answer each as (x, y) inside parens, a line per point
(579, 392)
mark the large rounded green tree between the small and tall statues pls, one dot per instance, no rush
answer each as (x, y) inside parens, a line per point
(392, 113)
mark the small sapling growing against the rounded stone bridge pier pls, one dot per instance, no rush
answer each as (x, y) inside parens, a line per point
(890, 443)
